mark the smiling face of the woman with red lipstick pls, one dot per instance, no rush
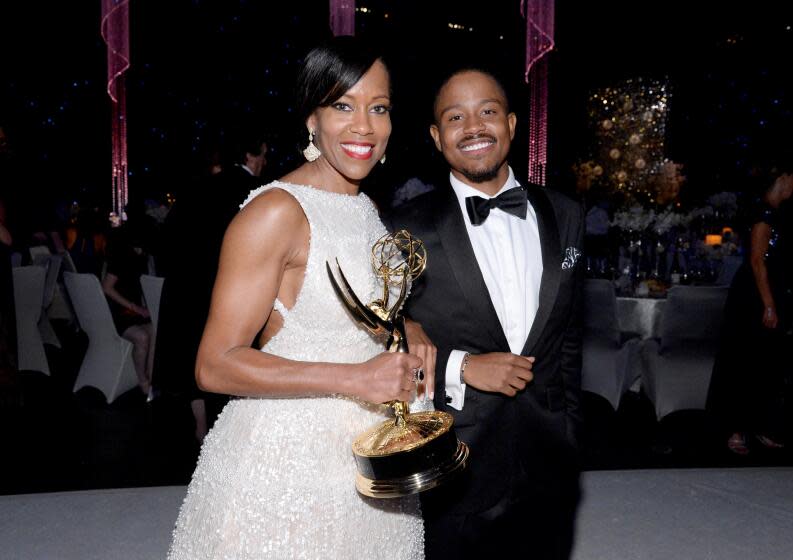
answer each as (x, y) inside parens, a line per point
(352, 133)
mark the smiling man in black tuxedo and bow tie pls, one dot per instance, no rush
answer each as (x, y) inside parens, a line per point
(500, 300)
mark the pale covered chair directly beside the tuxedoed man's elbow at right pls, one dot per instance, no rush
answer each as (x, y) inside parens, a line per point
(610, 366)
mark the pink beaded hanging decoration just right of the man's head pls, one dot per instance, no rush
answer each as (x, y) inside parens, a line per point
(539, 16)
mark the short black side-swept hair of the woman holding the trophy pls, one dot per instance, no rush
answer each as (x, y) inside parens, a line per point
(329, 71)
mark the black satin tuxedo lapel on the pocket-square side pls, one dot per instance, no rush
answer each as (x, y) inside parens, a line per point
(551, 263)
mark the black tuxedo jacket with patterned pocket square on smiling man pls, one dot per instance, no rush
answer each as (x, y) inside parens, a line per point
(521, 447)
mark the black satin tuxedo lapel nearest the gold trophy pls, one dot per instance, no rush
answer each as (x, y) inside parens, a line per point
(460, 254)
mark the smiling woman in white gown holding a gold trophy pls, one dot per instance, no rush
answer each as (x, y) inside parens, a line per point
(276, 474)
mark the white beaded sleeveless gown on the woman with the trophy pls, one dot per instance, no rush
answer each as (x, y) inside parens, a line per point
(275, 478)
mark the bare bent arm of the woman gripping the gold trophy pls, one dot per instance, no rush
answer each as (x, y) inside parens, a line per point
(264, 244)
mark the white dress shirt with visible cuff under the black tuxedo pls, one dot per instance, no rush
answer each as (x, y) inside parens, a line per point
(509, 255)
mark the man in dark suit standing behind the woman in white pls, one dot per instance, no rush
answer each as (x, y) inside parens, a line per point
(194, 232)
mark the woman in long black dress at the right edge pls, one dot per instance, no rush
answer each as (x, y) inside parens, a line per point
(747, 389)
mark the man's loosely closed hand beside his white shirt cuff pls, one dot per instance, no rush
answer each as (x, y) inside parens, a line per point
(499, 372)
